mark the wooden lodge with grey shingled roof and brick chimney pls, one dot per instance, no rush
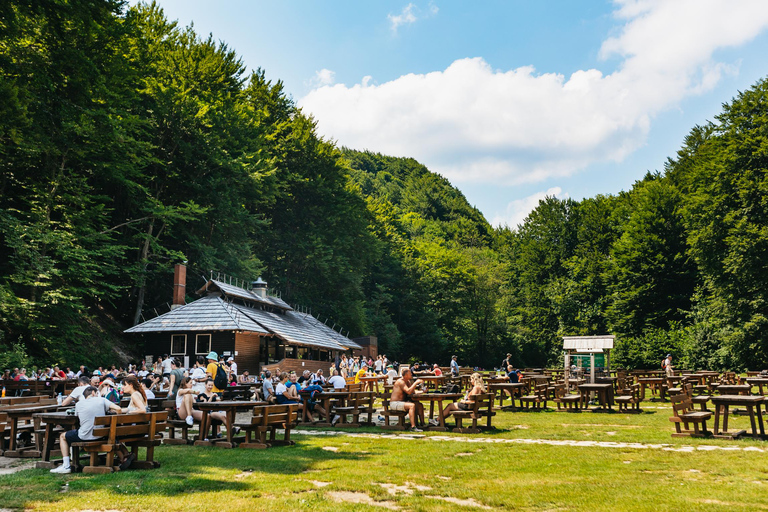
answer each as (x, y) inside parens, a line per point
(259, 330)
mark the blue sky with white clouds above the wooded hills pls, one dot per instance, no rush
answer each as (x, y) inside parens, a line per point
(510, 100)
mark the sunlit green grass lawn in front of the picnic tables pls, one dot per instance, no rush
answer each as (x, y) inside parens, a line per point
(438, 471)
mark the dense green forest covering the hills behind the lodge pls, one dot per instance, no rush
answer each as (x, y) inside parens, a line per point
(129, 143)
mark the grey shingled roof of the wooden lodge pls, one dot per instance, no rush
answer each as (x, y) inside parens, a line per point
(256, 314)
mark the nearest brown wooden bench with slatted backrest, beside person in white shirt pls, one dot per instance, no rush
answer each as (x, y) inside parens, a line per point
(133, 430)
